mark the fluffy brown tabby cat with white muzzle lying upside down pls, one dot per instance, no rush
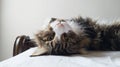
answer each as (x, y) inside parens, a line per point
(76, 36)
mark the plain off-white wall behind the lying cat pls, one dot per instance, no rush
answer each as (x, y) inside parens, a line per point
(26, 16)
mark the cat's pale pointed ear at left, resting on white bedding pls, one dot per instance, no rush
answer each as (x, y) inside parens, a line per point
(40, 51)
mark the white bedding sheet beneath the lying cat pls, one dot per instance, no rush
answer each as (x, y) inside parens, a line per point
(94, 59)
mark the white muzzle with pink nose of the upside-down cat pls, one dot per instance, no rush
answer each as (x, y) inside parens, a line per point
(59, 26)
